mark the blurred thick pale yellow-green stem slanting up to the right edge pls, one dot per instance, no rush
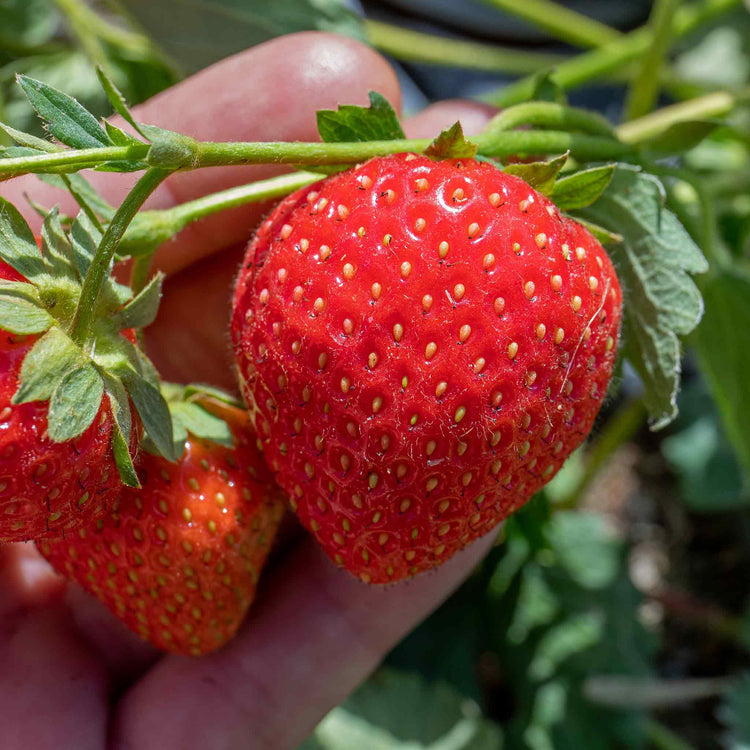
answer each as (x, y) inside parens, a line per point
(711, 105)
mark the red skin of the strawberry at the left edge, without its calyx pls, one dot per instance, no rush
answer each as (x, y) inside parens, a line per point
(47, 488)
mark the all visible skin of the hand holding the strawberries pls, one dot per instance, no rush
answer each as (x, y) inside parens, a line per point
(70, 674)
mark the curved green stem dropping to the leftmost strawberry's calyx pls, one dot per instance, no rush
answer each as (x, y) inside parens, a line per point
(100, 265)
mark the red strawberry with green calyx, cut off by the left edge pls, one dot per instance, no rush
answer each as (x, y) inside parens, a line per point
(67, 429)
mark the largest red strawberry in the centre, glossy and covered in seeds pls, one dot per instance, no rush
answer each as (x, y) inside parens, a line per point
(421, 345)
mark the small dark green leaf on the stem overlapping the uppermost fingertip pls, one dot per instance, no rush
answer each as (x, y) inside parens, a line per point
(349, 123)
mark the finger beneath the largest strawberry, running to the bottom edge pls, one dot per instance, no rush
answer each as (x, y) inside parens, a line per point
(318, 633)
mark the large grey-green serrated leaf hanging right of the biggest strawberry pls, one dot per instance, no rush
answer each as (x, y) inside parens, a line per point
(653, 261)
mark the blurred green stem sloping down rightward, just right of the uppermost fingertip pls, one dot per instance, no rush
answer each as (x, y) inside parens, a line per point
(416, 46)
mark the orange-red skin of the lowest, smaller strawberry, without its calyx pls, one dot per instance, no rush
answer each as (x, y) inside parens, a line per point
(178, 560)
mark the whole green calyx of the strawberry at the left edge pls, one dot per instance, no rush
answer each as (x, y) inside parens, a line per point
(72, 377)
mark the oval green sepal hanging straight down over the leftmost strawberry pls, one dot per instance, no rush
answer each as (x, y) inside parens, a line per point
(75, 403)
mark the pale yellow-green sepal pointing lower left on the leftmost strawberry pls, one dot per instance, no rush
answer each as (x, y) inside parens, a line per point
(45, 365)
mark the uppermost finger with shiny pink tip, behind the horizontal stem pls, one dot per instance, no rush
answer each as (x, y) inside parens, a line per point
(268, 93)
